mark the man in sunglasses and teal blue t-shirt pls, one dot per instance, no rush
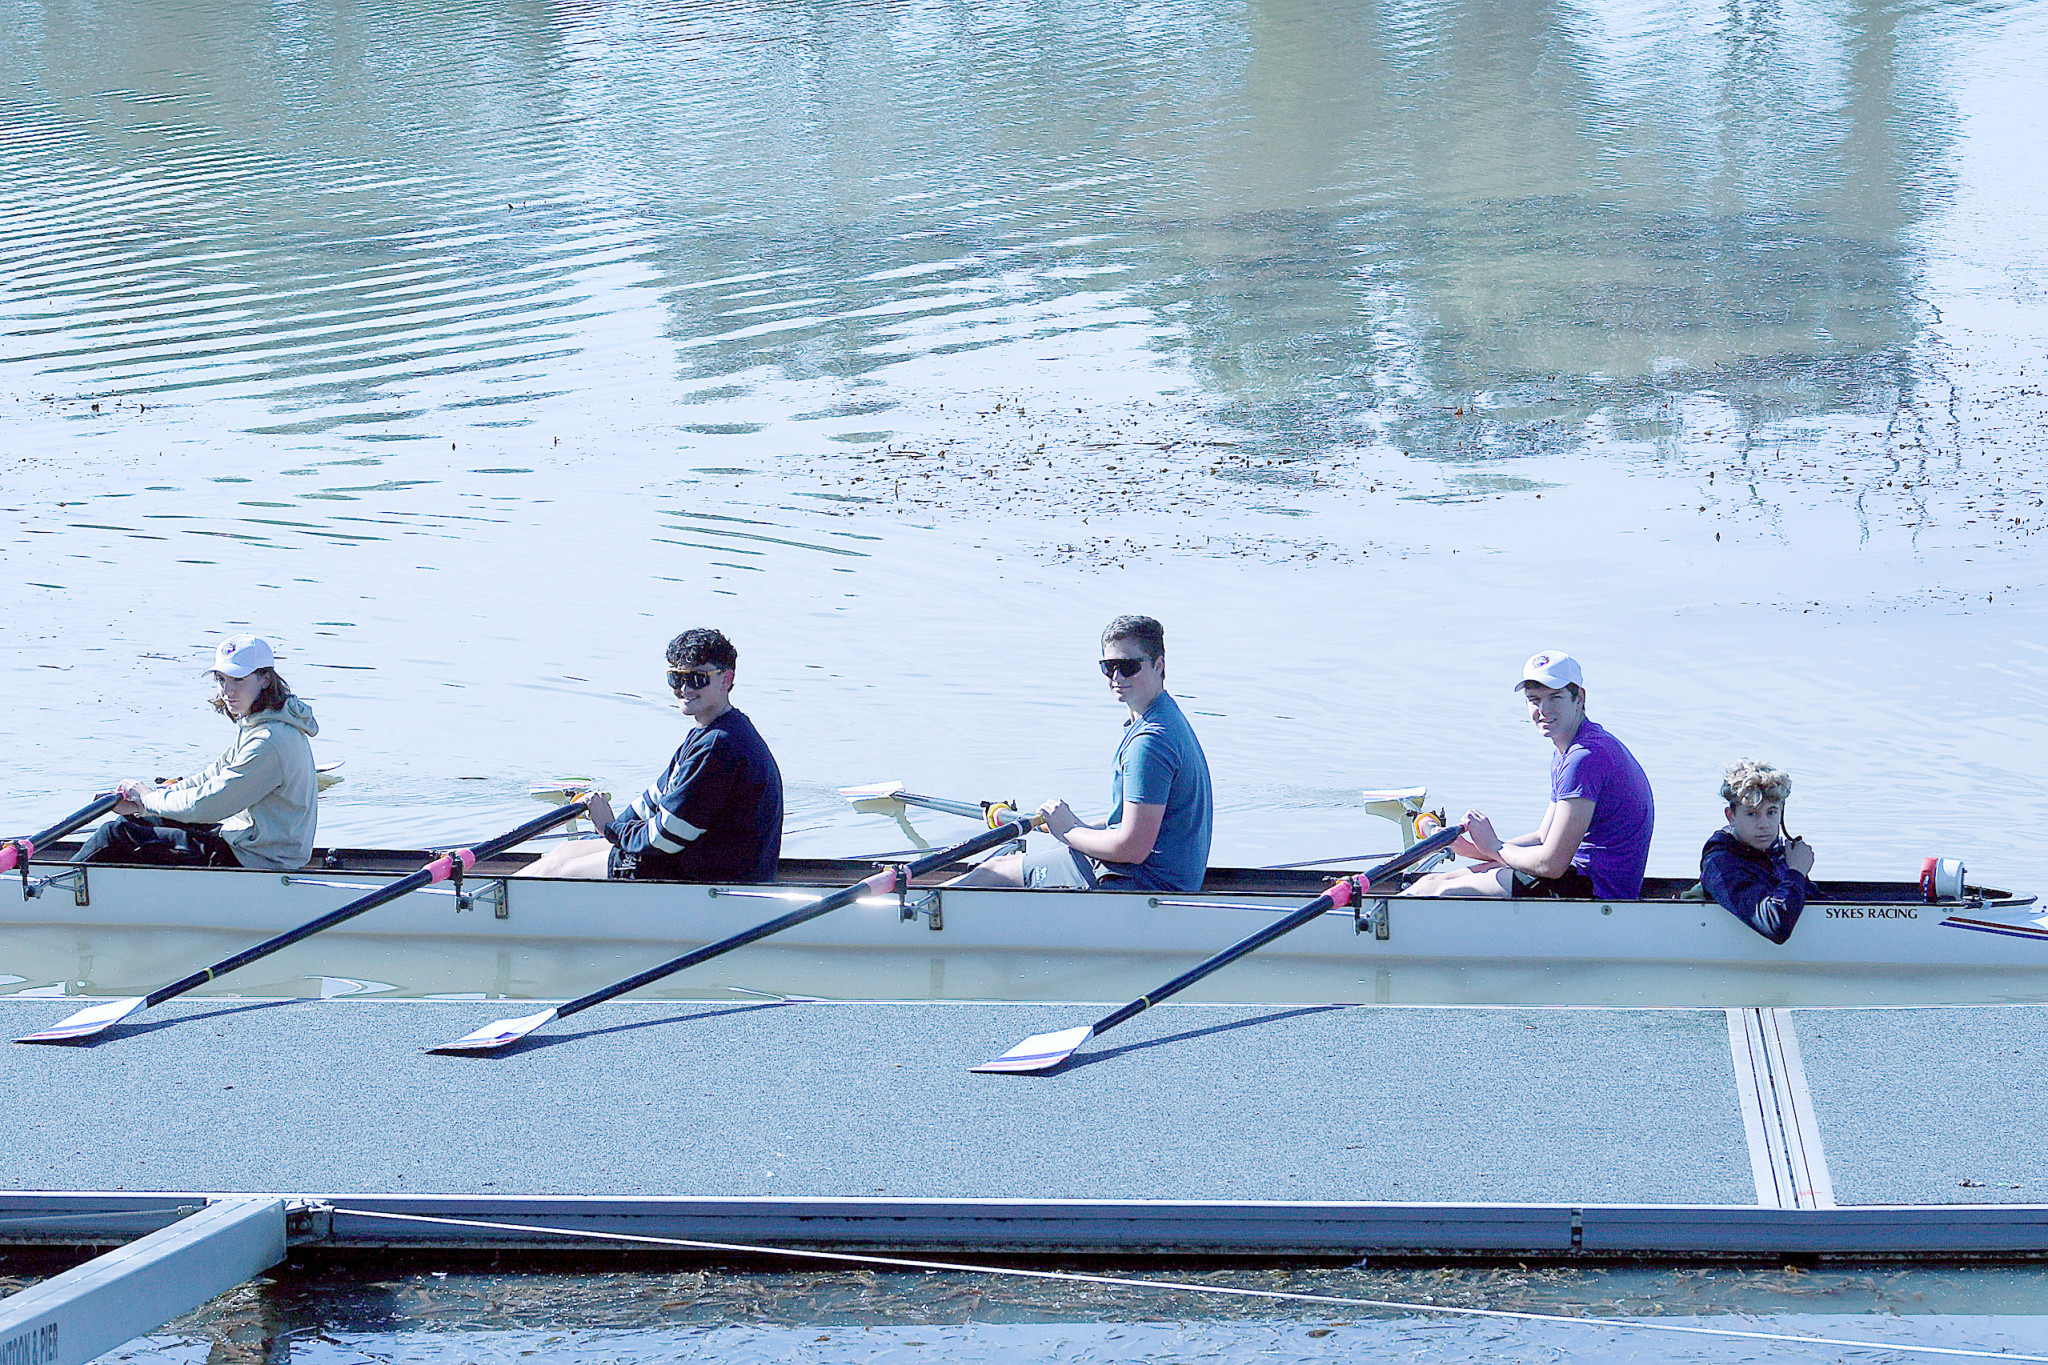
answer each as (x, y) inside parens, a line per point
(1162, 811)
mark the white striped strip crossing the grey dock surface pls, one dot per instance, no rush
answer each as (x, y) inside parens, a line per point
(1785, 1141)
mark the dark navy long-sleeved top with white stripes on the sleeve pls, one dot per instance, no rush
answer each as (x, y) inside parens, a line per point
(714, 816)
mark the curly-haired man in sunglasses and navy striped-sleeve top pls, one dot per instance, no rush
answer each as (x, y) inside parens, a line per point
(716, 816)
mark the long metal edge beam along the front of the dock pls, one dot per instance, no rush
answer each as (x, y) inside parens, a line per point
(1080, 1227)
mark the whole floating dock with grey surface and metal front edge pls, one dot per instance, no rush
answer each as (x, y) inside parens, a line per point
(1385, 1129)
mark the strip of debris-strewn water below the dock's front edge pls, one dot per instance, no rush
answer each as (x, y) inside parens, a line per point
(865, 1317)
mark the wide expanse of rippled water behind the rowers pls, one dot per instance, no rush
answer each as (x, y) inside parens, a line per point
(474, 351)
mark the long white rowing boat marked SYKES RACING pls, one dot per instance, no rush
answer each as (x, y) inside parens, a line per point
(1850, 924)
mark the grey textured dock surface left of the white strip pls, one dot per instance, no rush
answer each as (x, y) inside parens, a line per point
(878, 1100)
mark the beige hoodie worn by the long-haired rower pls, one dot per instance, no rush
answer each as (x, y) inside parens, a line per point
(261, 793)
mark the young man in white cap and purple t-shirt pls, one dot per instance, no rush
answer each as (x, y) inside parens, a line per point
(1596, 836)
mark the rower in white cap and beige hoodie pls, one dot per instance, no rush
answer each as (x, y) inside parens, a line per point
(253, 807)
